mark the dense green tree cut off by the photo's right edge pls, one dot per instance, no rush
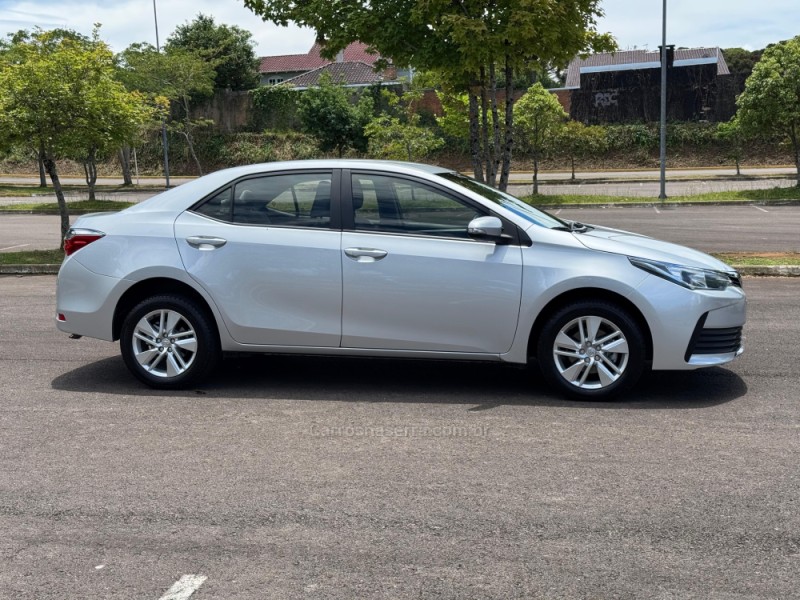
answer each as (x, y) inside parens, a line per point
(770, 102)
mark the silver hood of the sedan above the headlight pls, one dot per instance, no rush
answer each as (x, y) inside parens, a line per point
(617, 241)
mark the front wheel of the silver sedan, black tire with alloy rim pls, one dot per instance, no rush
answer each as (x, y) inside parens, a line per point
(591, 371)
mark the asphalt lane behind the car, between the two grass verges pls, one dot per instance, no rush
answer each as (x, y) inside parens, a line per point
(711, 229)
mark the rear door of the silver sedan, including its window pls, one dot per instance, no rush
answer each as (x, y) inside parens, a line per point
(267, 248)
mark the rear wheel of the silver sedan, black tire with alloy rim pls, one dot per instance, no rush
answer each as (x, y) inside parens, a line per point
(182, 358)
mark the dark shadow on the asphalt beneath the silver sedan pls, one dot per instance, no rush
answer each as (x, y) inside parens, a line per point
(484, 385)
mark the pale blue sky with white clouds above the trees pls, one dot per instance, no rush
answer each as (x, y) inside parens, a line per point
(634, 23)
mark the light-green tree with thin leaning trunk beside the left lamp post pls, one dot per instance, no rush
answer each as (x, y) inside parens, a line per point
(176, 75)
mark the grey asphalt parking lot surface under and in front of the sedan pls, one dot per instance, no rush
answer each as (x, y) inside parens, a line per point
(278, 478)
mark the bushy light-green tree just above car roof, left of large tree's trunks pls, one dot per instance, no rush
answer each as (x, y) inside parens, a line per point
(397, 134)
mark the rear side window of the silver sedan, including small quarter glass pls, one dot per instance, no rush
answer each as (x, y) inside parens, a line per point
(288, 200)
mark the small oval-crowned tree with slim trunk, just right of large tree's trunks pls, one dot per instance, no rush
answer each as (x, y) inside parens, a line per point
(540, 119)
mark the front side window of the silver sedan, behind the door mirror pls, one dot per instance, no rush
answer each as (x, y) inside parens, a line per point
(397, 205)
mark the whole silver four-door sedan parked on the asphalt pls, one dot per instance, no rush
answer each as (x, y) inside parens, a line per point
(371, 258)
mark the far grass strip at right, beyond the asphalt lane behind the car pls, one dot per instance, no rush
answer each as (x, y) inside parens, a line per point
(790, 193)
